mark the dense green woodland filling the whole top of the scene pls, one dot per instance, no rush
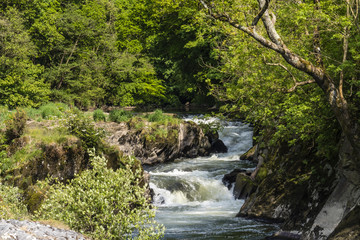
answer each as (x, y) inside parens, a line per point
(292, 68)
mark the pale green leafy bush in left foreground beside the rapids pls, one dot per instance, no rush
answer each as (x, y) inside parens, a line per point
(104, 203)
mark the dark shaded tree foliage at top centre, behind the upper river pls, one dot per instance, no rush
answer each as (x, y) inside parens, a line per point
(169, 31)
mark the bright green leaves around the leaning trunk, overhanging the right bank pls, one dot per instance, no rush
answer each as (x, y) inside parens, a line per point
(256, 82)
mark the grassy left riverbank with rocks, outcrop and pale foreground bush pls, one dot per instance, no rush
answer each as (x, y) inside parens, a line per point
(48, 158)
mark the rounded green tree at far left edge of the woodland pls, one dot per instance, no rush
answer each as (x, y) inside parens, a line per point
(20, 79)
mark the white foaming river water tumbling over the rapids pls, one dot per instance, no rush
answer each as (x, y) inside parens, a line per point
(193, 203)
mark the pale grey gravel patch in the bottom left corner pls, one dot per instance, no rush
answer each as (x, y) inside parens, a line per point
(26, 230)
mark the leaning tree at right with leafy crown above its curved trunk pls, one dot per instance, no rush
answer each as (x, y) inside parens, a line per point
(319, 40)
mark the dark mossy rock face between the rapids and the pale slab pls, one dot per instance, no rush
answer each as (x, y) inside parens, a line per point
(292, 186)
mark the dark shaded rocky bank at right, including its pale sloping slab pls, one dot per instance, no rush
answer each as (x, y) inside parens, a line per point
(305, 192)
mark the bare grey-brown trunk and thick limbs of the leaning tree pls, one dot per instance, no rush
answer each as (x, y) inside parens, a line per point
(316, 70)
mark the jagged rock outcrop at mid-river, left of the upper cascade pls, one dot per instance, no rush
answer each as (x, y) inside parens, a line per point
(186, 140)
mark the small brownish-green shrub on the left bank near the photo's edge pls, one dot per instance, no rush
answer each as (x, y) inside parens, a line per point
(15, 126)
